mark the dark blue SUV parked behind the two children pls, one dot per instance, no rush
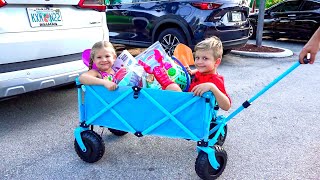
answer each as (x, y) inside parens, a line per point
(142, 22)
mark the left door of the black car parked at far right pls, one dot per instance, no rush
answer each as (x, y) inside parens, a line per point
(284, 17)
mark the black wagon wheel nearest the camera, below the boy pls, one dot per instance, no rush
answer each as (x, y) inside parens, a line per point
(203, 168)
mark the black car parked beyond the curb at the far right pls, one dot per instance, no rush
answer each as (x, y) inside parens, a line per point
(296, 19)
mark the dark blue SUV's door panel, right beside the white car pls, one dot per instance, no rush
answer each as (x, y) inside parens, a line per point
(119, 21)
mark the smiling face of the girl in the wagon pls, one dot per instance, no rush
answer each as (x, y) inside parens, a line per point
(104, 59)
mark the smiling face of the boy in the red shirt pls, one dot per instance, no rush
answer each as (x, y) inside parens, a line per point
(205, 62)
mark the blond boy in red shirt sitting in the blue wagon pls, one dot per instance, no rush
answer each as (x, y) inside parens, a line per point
(208, 55)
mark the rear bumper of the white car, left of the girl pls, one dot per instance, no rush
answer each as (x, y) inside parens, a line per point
(27, 80)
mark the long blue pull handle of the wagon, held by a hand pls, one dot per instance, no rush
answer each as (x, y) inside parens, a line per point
(276, 80)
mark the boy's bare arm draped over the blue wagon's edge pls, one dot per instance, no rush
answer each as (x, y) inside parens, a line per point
(221, 98)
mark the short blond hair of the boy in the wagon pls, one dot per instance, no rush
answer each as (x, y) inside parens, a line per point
(213, 43)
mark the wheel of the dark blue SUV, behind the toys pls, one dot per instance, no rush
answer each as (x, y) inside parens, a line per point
(170, 38)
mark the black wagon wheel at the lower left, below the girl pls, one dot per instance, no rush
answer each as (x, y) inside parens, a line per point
(94, 144)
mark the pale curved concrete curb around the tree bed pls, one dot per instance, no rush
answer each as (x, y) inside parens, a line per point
(285, 53)
